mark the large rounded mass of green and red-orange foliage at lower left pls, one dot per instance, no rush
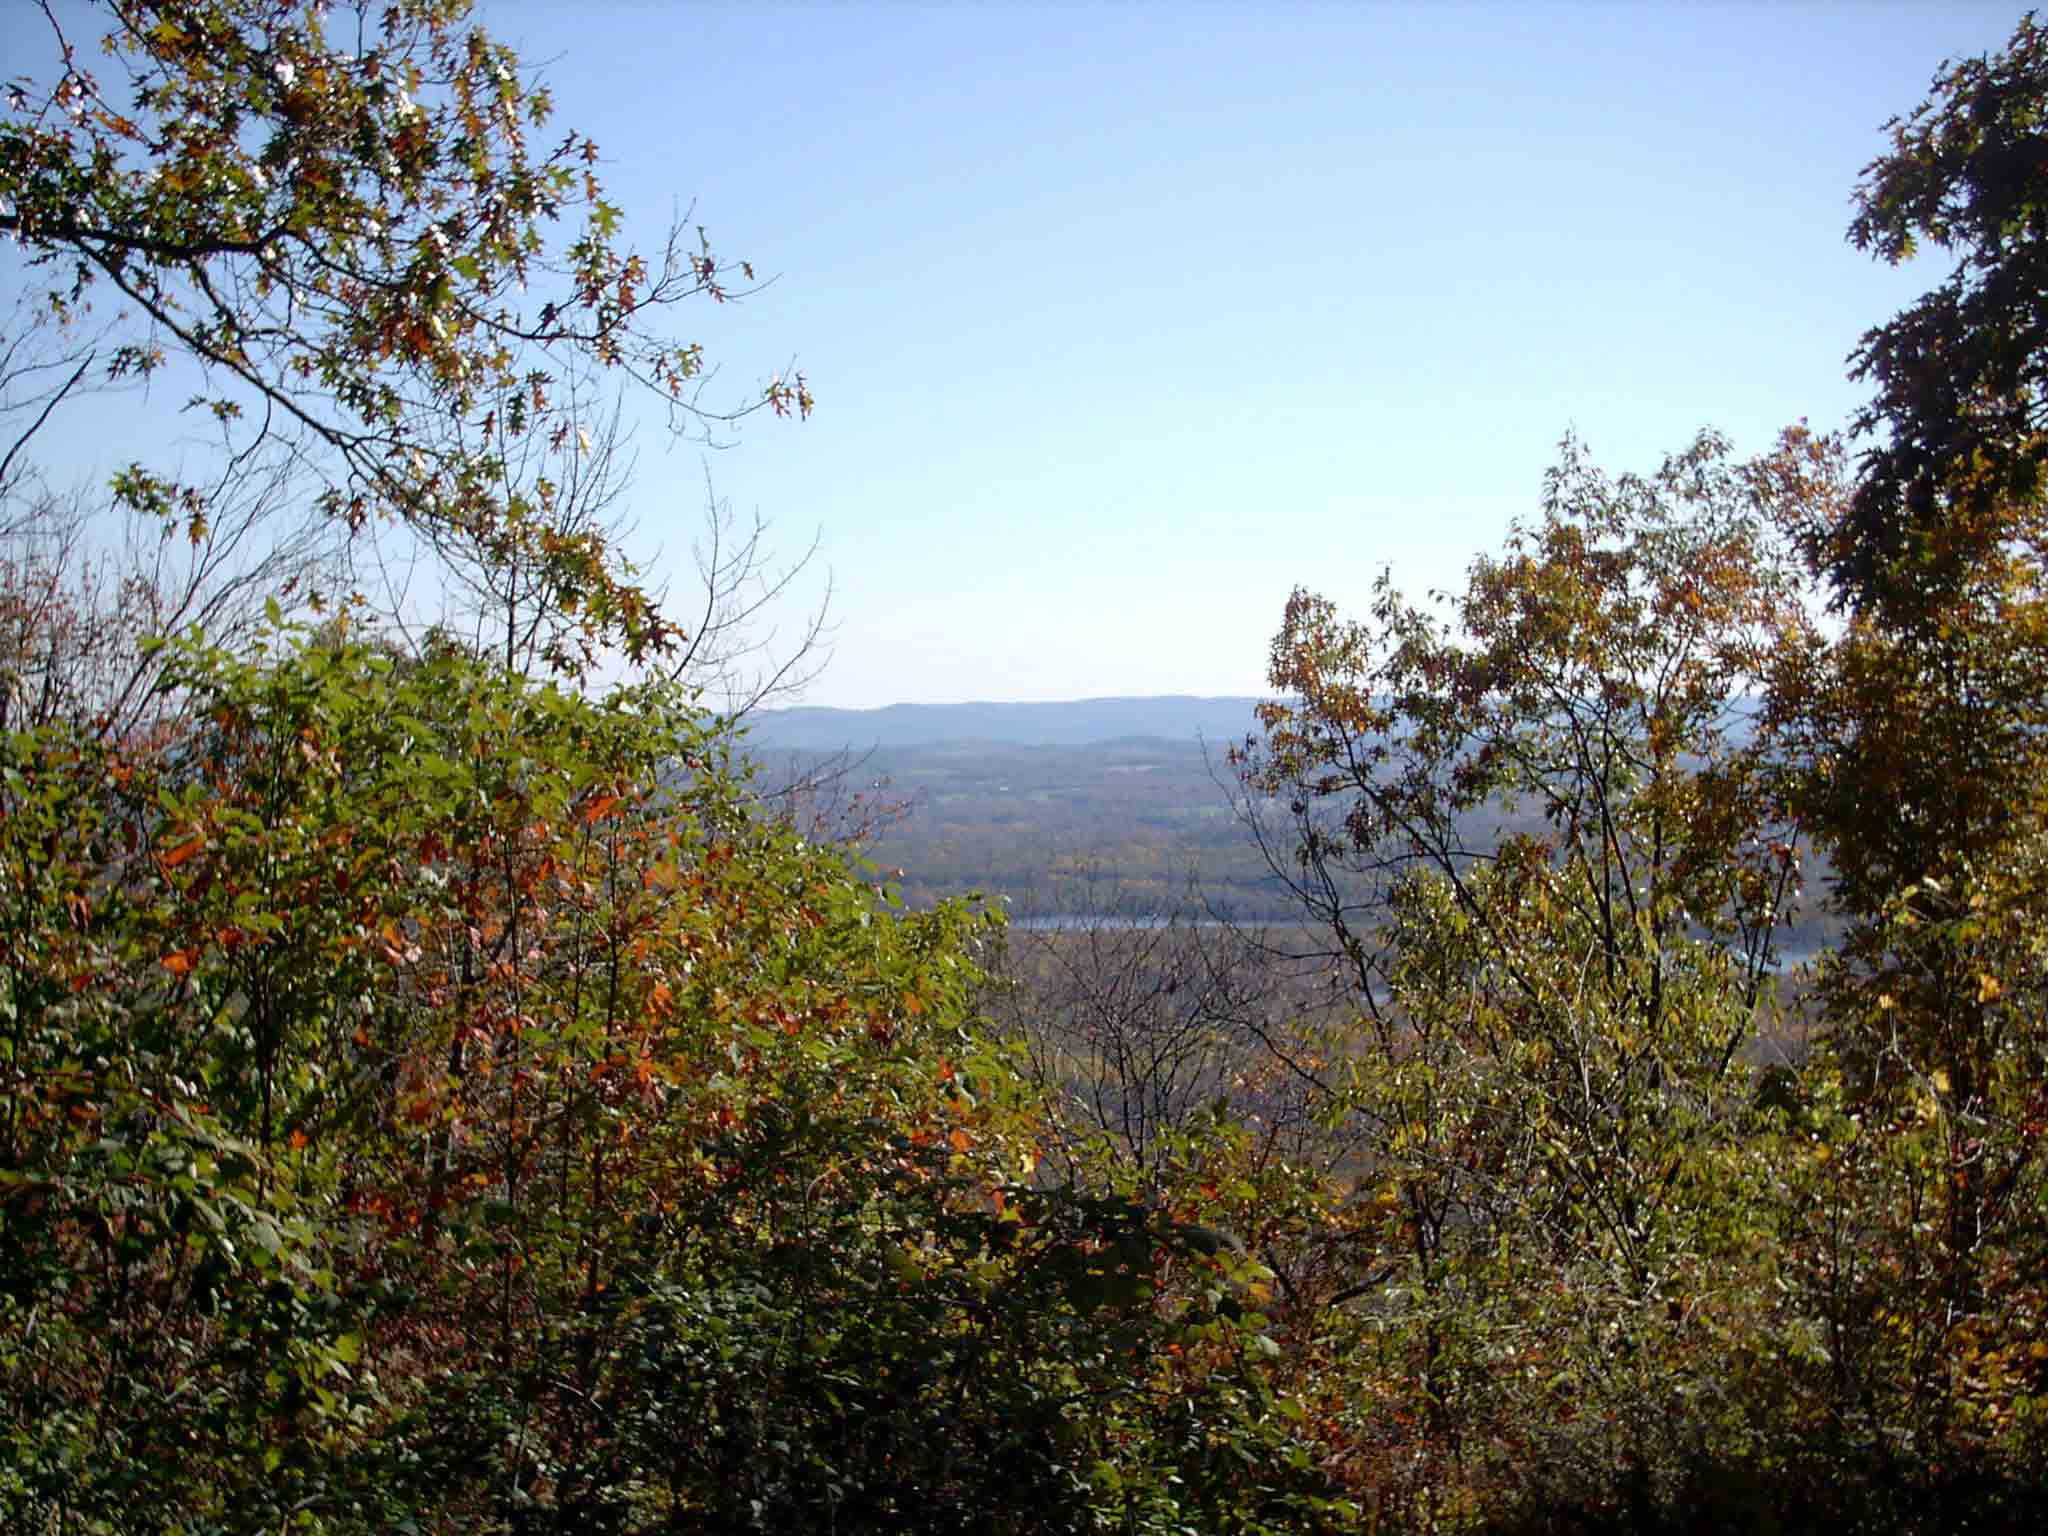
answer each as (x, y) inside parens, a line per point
(472, 1111)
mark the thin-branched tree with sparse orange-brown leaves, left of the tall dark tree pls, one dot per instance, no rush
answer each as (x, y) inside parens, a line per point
(1592, 685)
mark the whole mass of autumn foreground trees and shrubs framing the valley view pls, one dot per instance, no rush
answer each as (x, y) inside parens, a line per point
(447, 1084)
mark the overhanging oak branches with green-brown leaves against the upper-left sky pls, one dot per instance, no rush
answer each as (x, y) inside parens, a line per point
(370, 263)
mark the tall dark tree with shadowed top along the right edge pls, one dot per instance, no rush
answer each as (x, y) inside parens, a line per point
(1914, 749)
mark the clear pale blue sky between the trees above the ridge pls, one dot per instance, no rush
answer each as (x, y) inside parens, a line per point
(1125, 321)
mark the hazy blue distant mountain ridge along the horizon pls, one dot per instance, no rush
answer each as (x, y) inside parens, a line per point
(1068, 724)
